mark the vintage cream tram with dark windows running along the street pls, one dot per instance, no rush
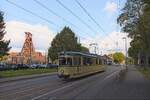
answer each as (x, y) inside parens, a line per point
(77, 64)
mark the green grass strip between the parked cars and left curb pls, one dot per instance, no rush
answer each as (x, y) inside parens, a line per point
(23, 72)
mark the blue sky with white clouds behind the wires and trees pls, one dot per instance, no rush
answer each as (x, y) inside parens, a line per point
(104, 13)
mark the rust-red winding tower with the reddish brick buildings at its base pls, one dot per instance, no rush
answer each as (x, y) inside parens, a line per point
(28, 55)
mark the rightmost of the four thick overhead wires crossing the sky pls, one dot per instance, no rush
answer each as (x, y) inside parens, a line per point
(89, 15)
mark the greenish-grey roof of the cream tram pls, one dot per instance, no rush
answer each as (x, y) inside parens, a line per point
(73, 53)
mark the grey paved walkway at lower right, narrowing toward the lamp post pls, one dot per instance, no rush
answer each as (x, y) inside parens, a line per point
(131, 85)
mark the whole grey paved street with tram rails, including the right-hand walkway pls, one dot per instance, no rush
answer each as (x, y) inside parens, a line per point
(111, 84)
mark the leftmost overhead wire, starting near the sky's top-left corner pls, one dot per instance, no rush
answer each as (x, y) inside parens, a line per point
(32, 13)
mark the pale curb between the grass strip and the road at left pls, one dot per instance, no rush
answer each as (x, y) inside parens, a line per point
(5, 80)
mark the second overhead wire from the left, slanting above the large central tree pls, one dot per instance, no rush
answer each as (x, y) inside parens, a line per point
(54, 13)
